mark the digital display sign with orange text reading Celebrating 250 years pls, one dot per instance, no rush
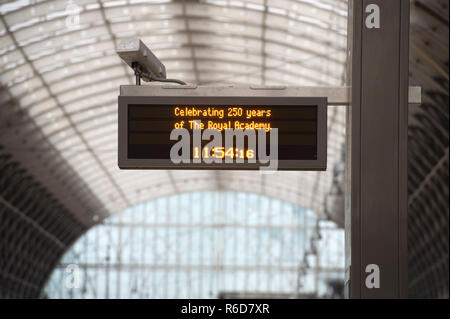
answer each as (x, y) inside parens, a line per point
(222, 133)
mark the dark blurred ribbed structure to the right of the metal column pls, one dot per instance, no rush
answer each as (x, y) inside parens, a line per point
(428, 152)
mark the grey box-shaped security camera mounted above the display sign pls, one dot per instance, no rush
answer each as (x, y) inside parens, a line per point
(139, 57)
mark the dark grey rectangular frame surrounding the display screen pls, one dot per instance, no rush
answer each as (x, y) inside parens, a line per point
(320, 164)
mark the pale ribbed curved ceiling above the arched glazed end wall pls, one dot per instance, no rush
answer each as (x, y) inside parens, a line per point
(58, 65)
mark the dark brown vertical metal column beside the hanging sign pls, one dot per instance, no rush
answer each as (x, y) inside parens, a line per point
(376, 177)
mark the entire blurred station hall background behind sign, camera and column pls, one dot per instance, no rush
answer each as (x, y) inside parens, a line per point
(205, 234)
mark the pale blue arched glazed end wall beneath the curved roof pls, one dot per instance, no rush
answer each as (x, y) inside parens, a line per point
(204, 245)
